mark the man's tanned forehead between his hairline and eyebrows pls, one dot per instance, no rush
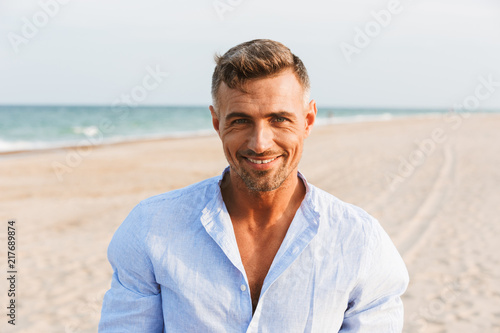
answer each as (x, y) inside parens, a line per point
(282, 91)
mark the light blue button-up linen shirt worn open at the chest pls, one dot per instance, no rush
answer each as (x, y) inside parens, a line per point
(177, 268)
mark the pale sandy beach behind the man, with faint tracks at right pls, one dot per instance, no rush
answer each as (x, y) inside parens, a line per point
(433, 182)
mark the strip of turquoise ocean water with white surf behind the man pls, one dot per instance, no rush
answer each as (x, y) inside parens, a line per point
(42, 127)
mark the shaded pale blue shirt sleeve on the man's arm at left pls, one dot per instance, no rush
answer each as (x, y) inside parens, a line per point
(133, 303)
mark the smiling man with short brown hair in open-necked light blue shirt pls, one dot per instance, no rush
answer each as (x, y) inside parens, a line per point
(257, 249)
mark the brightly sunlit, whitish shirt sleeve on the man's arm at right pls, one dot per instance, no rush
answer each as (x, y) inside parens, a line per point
(375, 303)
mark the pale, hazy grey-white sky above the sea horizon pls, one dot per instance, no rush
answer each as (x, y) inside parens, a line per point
(430, 53)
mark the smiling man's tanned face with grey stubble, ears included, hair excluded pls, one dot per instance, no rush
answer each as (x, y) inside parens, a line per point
(263, 130)
